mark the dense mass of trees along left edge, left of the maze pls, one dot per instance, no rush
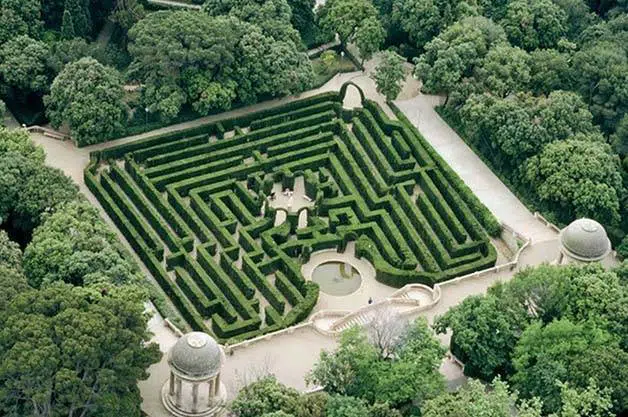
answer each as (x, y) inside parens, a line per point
(73, 339)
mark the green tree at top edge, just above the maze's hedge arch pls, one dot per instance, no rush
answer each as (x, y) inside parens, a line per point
(344, 17)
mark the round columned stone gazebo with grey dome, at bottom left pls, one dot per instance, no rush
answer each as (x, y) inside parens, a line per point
(194, 387)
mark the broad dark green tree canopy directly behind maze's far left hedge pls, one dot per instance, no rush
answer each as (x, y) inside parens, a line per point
(180, 64)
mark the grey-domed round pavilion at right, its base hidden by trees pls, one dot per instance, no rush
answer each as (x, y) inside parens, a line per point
(584, 240)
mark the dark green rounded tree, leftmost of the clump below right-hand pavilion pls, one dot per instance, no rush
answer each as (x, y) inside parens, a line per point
(485, 332)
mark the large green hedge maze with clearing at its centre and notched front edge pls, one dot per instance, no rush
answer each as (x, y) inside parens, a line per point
(193, 205)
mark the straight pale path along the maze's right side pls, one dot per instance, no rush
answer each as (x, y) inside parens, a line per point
(493, 193)
